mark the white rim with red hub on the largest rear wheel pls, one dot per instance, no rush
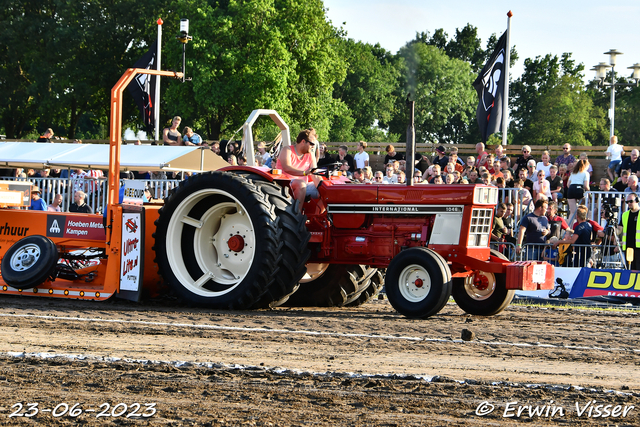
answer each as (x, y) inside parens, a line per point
(221, 256)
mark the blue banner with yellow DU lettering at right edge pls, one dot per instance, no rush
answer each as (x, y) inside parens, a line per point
(614, 283)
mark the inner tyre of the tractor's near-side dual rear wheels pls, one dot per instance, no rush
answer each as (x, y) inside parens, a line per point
(294, 251)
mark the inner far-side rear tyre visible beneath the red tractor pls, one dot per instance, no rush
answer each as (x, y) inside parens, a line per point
(328, 285)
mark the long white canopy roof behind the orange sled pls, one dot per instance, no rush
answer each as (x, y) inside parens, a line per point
(33, 155)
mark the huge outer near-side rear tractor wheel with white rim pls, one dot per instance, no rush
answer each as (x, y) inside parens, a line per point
(217, 241)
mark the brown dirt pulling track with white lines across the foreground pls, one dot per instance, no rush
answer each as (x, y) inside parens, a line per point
(314, 367)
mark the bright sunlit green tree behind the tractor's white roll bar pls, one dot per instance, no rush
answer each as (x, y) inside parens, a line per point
(278, 54)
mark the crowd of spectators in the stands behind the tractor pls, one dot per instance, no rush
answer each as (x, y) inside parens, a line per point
(546, 216)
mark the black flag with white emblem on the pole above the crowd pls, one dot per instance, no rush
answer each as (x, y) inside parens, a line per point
(490, 88)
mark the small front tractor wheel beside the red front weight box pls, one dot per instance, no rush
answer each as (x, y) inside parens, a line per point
(486, 294)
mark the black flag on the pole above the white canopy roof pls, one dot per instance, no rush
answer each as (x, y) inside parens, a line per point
(143, 88)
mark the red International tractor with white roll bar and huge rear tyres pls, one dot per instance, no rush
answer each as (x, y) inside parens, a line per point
(234, 239)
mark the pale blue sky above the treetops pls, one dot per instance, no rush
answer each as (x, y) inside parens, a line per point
(585, 28)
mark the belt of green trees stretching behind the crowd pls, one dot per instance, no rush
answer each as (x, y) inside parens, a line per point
(60, 58)
